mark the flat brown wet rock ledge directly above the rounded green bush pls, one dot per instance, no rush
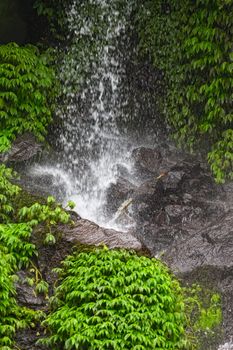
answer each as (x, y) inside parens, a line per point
(85, 233)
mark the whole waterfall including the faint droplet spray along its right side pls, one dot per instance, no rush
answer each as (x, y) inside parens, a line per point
(107, 102)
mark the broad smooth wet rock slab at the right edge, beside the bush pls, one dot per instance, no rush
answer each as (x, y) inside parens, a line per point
(207, 255)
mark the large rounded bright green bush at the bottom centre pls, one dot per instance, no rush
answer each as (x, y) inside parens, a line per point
(116, 300)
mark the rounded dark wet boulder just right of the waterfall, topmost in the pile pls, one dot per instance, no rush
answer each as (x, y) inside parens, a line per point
(146, 161)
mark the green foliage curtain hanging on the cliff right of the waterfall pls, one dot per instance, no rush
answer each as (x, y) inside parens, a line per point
(191, 42)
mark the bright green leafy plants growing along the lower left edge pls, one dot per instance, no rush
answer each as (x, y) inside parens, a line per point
(16, 252)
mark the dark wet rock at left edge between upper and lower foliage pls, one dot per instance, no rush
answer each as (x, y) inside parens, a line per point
(24, 148)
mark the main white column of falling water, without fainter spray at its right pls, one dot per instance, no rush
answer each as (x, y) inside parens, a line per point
(92, 141)
